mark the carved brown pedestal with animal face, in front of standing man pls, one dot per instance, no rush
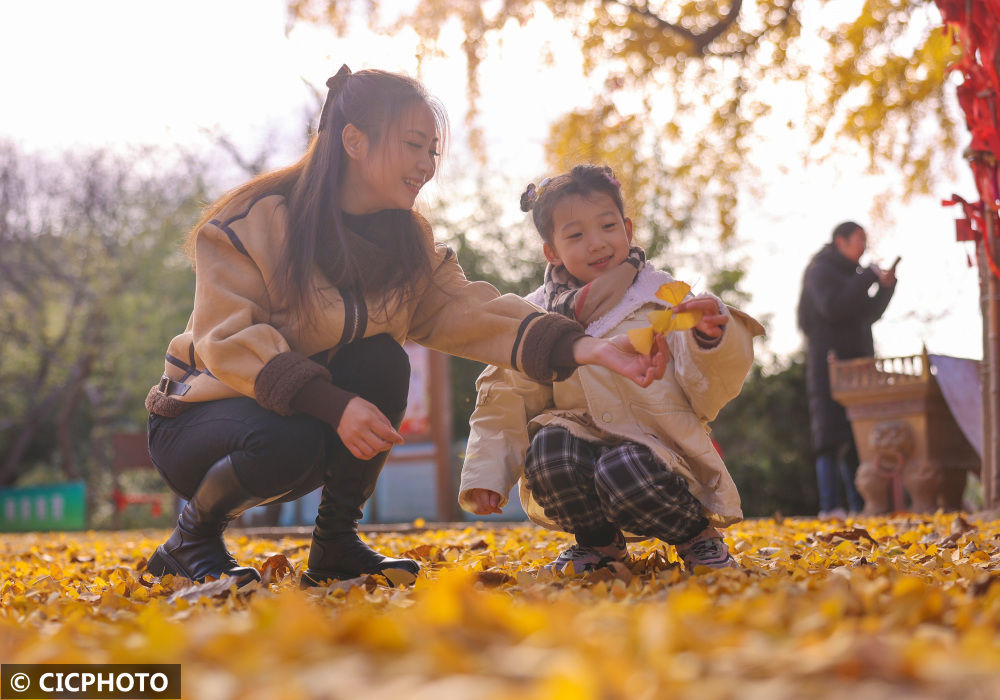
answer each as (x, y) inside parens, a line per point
(908, 441)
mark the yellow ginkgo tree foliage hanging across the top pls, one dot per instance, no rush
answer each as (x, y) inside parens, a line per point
(856, 74)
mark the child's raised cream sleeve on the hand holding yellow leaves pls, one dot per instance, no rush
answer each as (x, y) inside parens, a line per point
(712, 377)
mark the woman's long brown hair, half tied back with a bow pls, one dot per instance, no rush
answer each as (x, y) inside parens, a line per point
(374, 102)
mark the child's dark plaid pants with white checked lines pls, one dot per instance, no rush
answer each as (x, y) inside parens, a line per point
(592, 488)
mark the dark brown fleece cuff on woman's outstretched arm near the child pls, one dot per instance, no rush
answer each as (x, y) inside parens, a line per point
(536, 353)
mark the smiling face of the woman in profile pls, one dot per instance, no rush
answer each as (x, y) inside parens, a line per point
(391, 172)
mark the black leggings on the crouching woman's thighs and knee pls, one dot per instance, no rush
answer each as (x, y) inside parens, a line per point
(276, 455)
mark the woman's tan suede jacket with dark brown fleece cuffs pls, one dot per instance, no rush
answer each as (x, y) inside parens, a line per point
(241, 339)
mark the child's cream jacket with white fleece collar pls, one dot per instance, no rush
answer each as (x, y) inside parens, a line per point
(670, 416)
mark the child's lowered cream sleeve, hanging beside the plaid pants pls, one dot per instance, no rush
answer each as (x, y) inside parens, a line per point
(498, 437)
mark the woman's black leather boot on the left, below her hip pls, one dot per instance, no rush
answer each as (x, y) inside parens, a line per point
(196, 549)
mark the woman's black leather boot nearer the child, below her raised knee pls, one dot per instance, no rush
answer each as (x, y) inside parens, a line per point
(337, 551)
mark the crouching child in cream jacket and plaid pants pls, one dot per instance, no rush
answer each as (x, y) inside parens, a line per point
(595, 456)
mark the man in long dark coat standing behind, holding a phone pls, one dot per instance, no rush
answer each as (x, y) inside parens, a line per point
(836, 313)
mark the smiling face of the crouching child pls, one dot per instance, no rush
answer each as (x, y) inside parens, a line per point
(589, 236)
